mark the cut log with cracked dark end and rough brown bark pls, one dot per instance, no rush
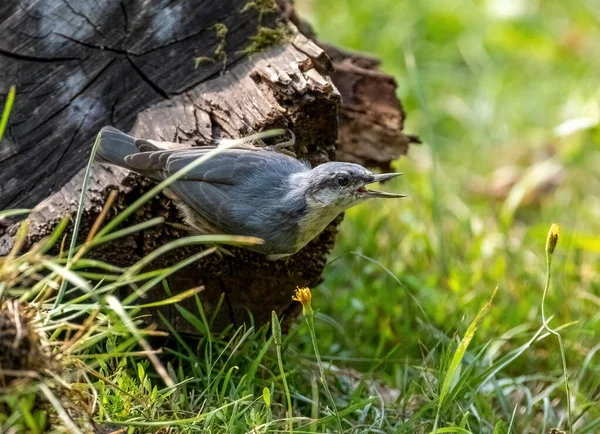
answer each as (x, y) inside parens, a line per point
(132, 65)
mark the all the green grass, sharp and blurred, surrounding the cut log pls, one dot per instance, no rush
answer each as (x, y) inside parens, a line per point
(404, 338)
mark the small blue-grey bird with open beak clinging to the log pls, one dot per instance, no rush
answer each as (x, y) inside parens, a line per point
(248, 190)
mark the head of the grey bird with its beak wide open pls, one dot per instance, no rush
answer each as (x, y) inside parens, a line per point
(343, 185)
